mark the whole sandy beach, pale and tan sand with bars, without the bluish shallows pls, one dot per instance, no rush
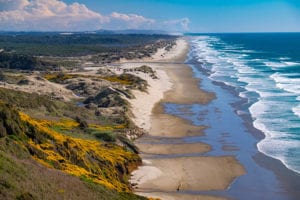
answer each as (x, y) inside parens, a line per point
(173, 171)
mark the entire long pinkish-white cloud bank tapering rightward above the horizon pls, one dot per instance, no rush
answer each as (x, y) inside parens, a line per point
(56, 15)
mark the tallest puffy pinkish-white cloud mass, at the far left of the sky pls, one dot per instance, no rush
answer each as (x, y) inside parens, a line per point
(48, 15)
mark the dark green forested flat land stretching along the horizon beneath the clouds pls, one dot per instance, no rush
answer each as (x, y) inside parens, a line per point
(55, 44)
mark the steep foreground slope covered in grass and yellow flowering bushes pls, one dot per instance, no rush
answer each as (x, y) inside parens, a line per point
(37, 162)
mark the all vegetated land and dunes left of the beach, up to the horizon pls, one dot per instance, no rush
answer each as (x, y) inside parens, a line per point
(65, 126)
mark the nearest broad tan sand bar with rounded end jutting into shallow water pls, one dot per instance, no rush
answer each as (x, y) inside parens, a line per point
(191, 174)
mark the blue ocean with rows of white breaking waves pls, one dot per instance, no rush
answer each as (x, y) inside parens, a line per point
(264, 69)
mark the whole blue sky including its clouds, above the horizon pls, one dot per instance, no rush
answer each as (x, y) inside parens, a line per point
(167, 15)
